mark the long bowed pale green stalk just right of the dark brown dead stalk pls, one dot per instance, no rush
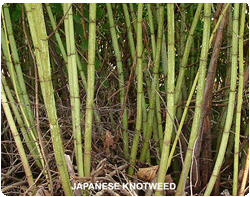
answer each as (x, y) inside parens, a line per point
(231, 101)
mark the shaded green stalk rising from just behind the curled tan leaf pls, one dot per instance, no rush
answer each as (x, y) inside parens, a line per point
(154, 84)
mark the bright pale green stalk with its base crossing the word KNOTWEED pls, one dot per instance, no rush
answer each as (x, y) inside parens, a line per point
(170, 99)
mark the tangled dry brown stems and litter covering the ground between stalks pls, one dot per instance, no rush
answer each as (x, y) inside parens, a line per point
(108, 163)
